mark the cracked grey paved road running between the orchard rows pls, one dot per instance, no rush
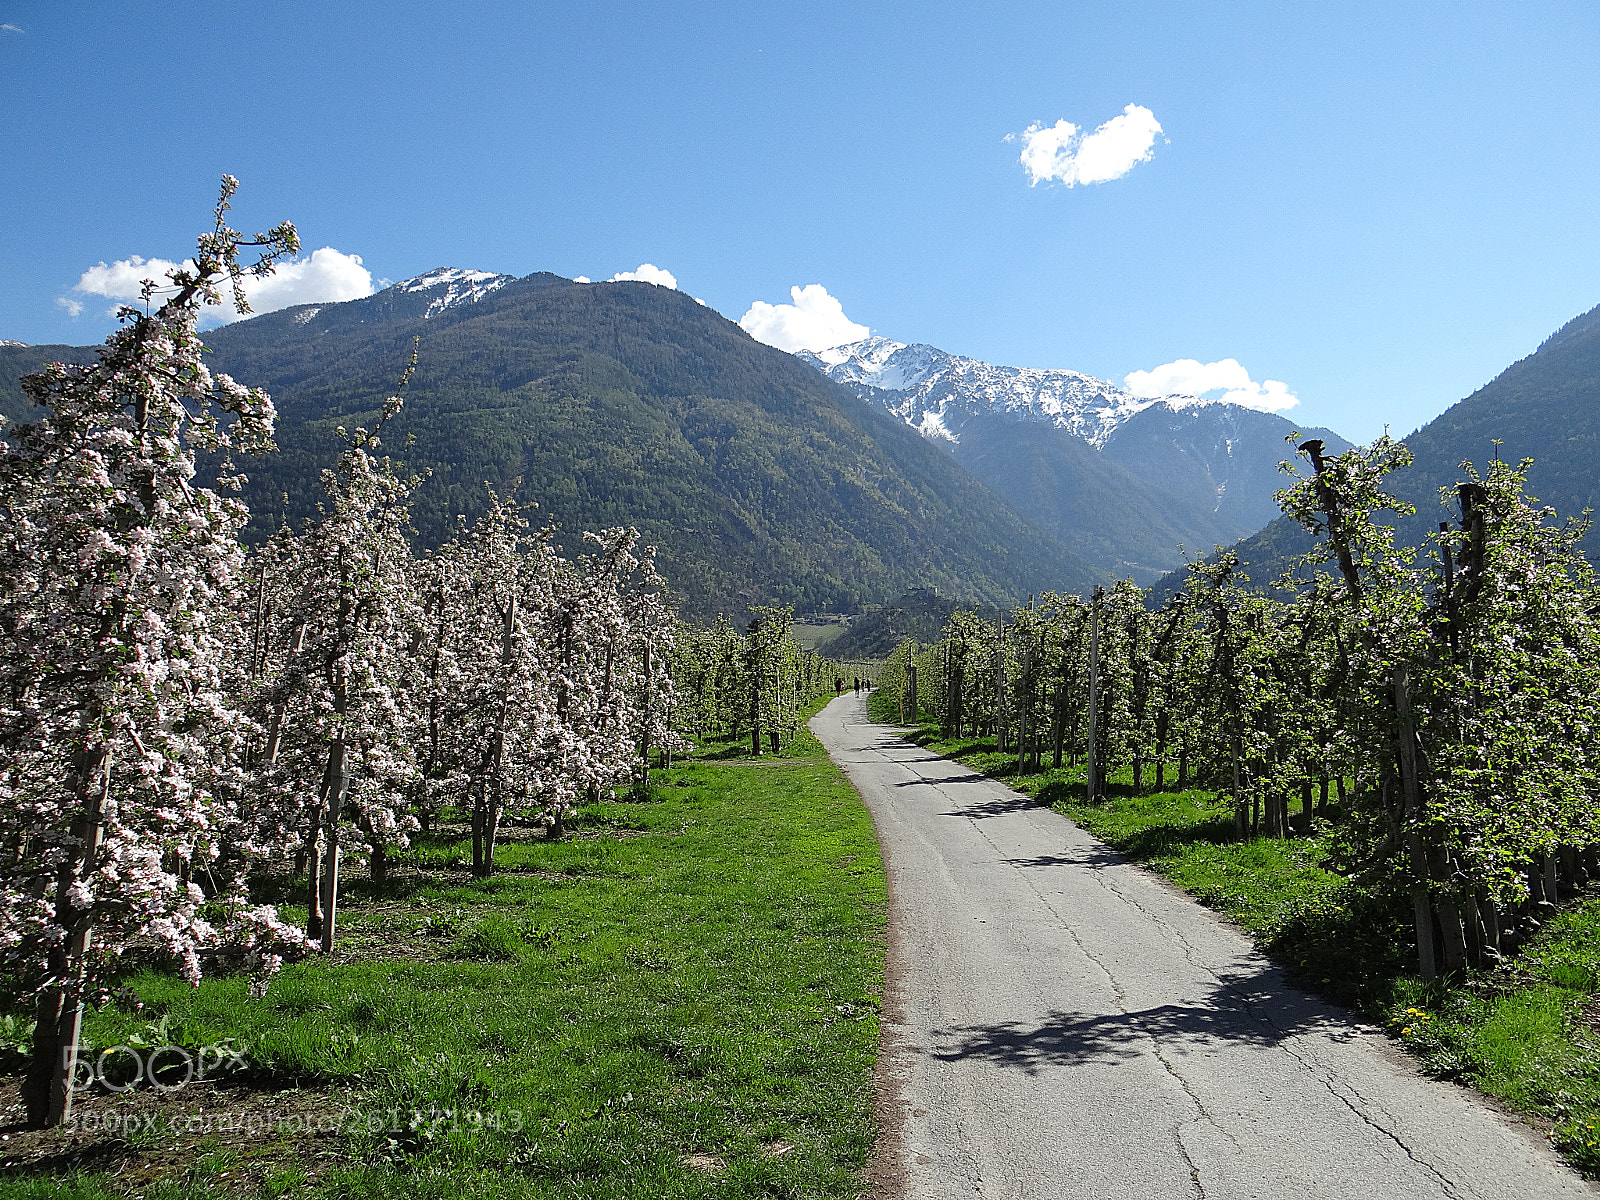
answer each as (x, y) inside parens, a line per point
(1063, 1025)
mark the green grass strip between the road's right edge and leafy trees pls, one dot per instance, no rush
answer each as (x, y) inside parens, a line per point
(1527, 1034)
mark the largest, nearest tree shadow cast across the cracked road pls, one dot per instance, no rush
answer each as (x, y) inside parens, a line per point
(1236, 1012)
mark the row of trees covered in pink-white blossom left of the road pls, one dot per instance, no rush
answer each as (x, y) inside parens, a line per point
(180, 716)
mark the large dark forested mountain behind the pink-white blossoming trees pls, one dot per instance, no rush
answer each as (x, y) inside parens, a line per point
(615, 404)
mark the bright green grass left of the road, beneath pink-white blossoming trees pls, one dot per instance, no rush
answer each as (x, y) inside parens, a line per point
(692, 975)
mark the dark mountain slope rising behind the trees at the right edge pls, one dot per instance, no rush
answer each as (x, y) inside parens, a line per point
(1545, 407)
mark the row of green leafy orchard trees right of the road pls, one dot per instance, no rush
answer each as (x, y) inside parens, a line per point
(1450, 697)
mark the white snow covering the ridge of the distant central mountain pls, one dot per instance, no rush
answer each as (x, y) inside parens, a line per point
(942, 391)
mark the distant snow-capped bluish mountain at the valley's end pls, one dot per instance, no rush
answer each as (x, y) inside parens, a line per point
(1121, 479)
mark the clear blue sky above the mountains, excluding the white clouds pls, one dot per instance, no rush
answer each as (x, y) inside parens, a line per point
(1378, 206)
